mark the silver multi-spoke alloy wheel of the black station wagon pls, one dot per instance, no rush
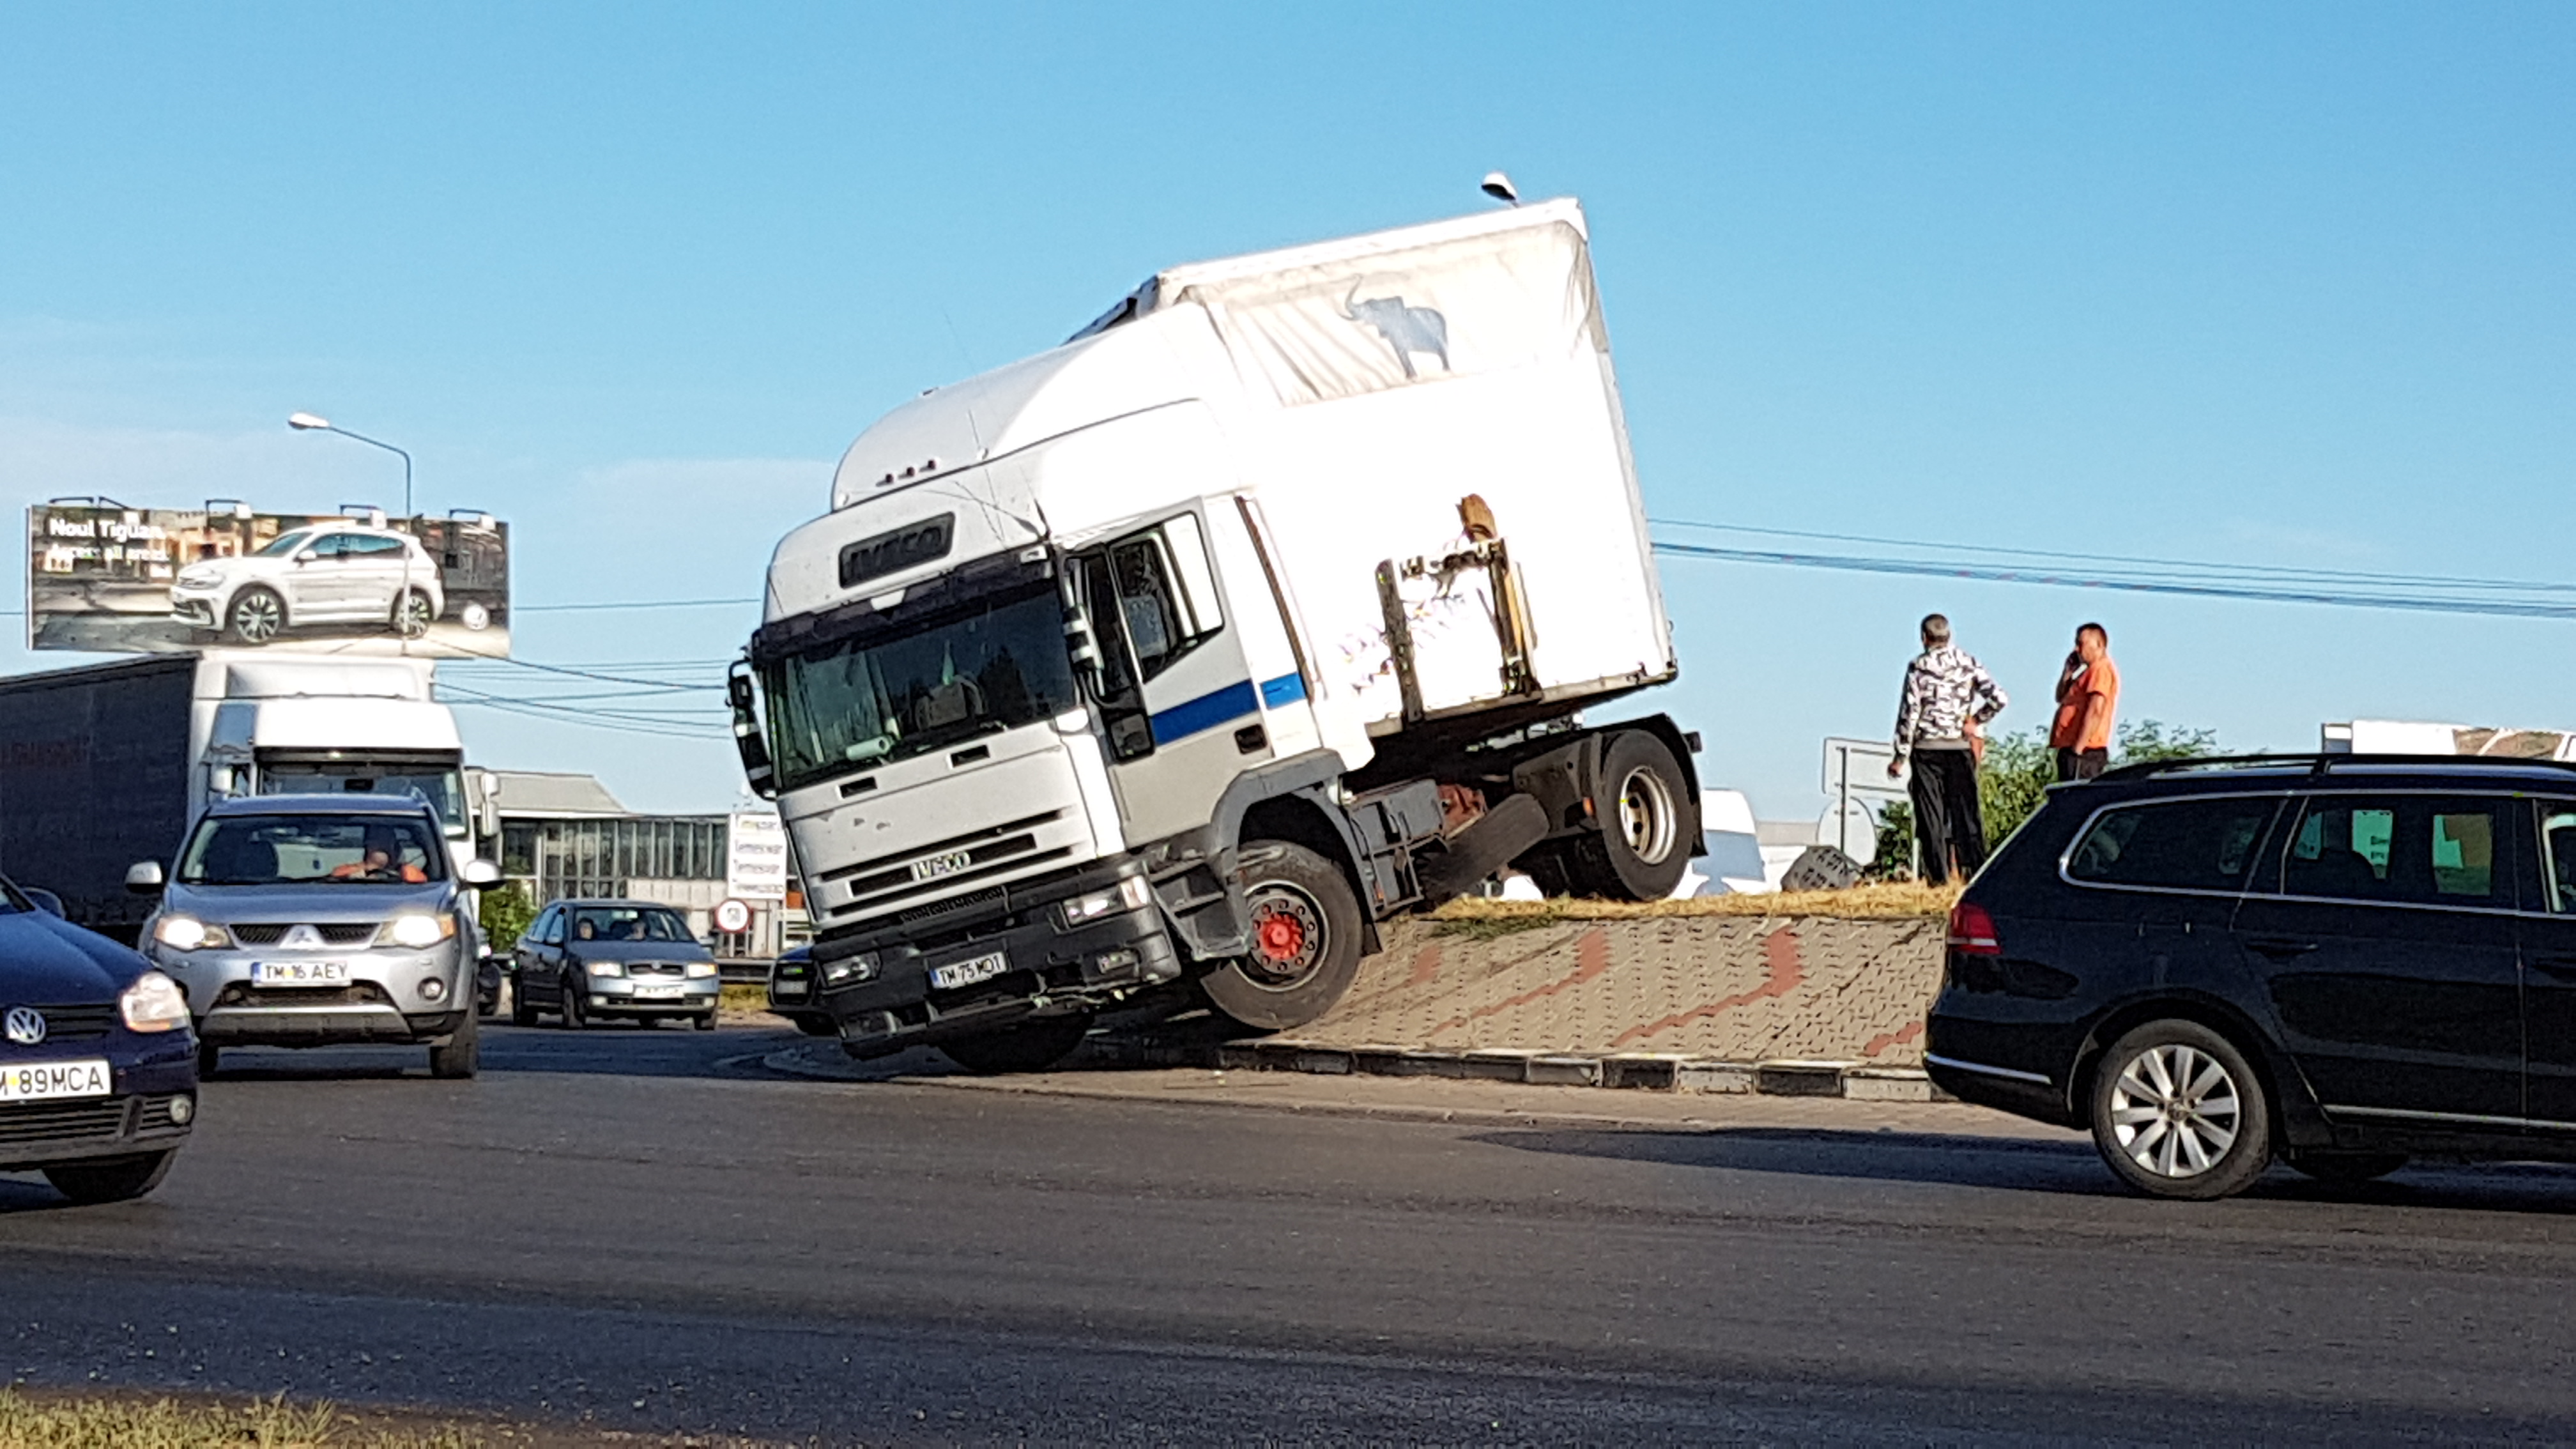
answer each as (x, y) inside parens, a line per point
(2181, 1113)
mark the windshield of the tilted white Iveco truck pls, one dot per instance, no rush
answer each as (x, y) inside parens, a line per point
(967, 672)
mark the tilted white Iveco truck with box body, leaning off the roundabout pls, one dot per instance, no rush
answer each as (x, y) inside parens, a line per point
(1194, 648)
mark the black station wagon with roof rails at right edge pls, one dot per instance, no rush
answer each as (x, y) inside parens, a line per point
(2335, 960)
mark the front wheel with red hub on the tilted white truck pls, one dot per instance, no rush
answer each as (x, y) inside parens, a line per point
(1305, 940)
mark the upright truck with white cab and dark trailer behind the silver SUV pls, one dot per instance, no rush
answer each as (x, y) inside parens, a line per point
(109, 764)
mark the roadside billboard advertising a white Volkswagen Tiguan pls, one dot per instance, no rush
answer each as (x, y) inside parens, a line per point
(187, 579)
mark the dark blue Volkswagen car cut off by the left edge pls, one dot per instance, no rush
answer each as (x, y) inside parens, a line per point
(97, 1058)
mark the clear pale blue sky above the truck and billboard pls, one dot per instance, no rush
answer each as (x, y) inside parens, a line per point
(2263, 285)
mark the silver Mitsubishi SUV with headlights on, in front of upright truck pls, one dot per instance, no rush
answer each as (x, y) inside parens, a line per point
(321, 922)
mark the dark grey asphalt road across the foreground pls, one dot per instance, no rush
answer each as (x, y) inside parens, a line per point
(645, 1231)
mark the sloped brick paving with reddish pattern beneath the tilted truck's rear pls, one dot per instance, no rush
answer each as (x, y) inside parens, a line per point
(1732, 989)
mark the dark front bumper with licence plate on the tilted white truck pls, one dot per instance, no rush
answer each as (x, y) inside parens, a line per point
(1021, 963)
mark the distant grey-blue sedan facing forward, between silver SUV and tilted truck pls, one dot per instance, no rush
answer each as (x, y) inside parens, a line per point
(630, 960)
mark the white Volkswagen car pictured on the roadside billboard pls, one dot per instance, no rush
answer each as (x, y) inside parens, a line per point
(326, 574)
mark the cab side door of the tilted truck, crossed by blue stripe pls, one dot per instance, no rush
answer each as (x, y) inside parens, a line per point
(1179, 697)
